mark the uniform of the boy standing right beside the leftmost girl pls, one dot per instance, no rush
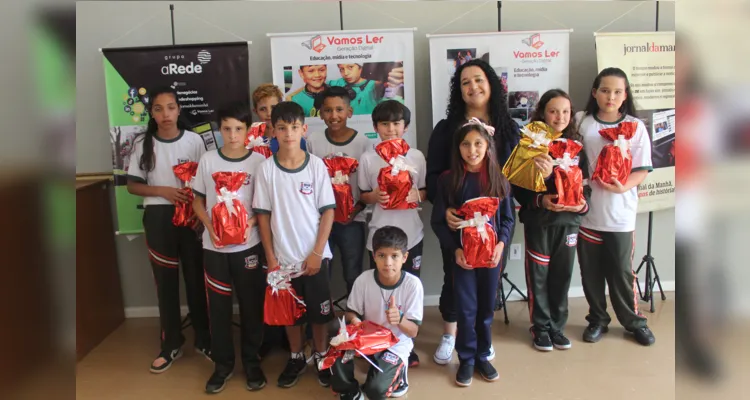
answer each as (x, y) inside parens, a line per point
(238, 269)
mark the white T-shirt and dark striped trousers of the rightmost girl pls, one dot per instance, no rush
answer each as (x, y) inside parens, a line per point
(607, 233)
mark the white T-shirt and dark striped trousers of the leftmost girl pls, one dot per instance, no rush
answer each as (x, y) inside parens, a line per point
(170, 246)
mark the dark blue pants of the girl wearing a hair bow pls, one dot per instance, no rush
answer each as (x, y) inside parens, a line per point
(475, 291)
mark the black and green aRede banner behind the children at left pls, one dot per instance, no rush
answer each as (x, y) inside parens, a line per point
(205, 76)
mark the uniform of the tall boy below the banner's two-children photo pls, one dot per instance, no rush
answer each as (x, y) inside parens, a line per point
(350, 238)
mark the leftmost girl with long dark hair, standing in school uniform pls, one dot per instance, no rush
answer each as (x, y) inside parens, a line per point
(165, 145)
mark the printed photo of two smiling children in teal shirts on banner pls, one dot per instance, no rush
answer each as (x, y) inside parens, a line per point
(370, 83)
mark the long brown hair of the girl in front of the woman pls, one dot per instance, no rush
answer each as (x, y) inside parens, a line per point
(494, 183)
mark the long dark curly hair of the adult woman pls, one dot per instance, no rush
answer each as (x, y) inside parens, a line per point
(497, 106)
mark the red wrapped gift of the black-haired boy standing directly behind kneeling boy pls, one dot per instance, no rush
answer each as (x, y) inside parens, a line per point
(395, 179)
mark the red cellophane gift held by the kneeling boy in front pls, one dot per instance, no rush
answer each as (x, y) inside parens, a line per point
(366, 338)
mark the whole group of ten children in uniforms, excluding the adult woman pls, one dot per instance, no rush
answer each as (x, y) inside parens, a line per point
(290, 203)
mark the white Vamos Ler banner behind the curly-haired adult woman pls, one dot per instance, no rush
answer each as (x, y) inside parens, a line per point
(528, 64)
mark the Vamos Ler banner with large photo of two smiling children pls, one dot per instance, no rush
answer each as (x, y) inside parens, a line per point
(377, 65)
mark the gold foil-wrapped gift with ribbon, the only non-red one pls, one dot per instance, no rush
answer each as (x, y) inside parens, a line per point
(520, 168)
